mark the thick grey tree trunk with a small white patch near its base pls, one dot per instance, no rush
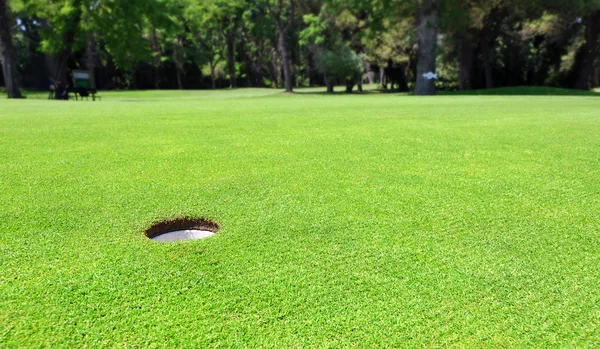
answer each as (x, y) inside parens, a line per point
(427, 31)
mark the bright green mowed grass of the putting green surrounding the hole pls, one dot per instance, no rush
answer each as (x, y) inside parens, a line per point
(347, 221)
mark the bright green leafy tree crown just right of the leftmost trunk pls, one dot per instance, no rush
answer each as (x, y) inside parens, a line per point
(65, 26)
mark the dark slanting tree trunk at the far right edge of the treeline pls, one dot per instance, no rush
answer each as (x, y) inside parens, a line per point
(592, 32)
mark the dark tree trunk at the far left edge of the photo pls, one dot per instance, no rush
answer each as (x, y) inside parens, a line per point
(7, 51)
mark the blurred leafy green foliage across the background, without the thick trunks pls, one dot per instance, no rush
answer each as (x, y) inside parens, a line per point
(511, 42)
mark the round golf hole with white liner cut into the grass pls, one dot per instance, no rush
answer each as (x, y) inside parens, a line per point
(181, 229)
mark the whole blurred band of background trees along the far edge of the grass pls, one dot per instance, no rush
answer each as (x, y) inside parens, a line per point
(192, 44)
